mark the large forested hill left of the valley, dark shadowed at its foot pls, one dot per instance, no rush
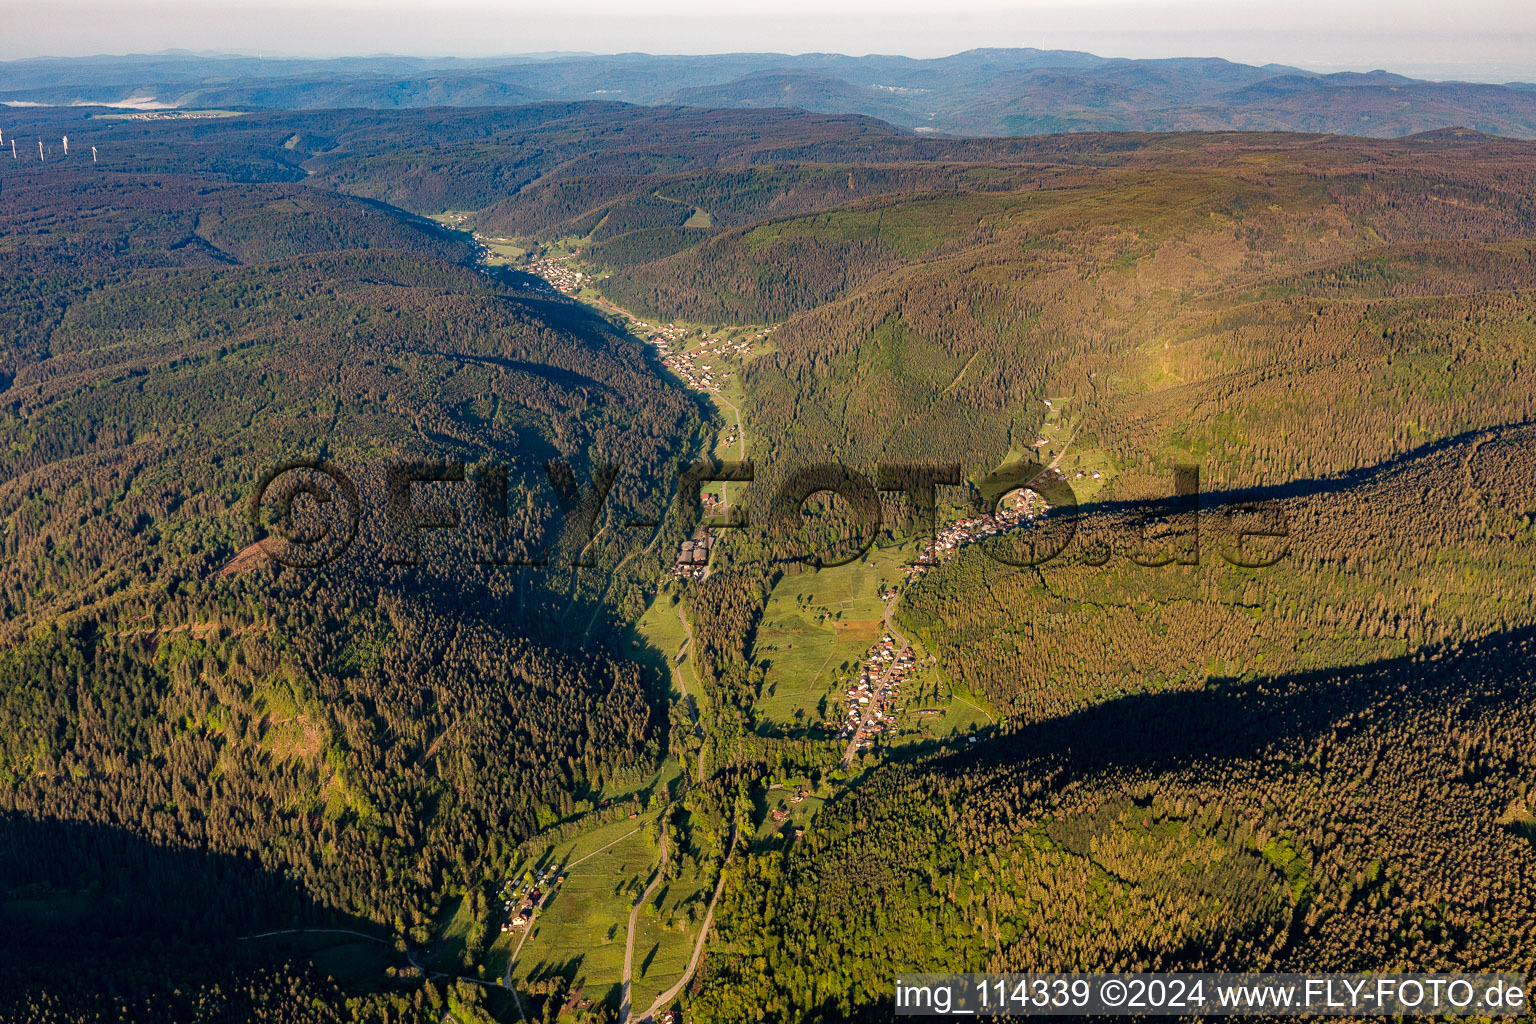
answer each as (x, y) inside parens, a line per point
(356, 745)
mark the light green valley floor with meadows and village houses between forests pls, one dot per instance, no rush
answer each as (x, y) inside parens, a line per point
(833, 658)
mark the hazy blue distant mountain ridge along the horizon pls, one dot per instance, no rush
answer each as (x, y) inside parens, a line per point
(975, 93)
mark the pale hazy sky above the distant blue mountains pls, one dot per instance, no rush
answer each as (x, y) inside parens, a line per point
(1491, 41)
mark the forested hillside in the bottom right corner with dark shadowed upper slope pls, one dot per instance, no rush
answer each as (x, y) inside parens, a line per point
(1360, 821)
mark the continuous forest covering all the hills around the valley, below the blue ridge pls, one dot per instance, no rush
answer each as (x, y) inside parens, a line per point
(1194, 755)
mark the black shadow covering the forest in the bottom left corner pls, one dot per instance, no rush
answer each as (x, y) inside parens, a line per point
(93, 914)
